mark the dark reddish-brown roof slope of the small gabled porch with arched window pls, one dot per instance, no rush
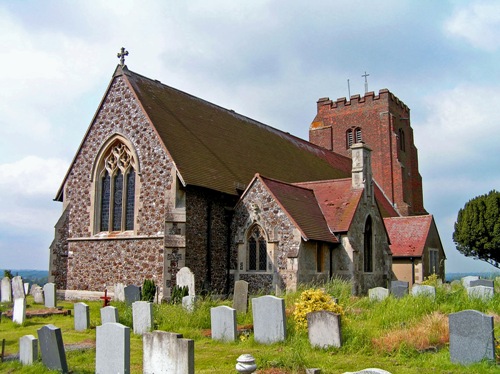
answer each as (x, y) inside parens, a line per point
(302, 207)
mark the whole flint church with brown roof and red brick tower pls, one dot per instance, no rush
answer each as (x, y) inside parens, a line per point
(163, 180)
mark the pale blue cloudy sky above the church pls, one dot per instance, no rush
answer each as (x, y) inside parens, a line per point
(270, 60)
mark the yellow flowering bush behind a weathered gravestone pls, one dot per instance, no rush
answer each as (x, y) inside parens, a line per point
(313, 300)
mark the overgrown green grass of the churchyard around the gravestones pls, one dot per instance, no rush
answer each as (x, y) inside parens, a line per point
(407, 335)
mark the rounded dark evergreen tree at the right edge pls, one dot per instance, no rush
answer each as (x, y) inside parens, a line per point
(477, 229)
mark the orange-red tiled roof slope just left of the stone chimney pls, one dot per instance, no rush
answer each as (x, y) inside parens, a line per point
(338, 201)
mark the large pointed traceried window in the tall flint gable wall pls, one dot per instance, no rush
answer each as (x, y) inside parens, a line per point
(116, 189)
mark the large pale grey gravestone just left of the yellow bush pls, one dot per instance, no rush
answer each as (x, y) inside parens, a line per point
(269, 321)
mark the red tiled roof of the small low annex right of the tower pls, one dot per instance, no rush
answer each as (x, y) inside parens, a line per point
(408, 235)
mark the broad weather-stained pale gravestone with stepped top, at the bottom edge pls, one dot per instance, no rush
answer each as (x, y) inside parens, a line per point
(167, 352)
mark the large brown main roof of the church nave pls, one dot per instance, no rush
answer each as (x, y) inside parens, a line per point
(219, 149)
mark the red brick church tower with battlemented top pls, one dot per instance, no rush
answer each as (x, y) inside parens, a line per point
(383, 123)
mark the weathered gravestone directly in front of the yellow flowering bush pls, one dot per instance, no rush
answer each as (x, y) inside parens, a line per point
(324, 329)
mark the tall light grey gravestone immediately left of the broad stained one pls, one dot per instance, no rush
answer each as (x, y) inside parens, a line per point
(112, 348)
